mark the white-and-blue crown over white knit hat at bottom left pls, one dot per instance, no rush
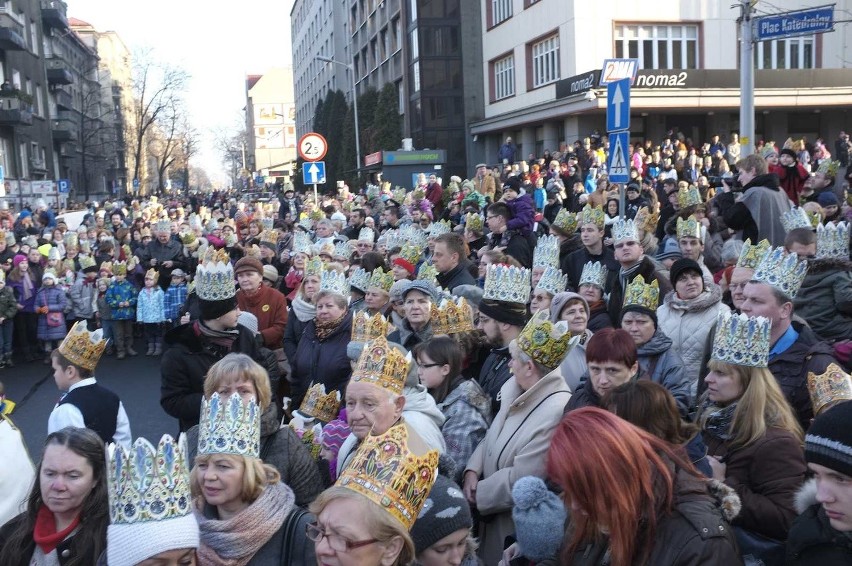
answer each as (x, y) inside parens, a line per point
(148, 484)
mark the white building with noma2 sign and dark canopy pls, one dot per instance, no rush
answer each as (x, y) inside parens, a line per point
(543, 60)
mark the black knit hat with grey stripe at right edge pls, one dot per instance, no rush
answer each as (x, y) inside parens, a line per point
(829, 439)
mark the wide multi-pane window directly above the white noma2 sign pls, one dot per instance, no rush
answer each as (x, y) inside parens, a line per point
(658, 46)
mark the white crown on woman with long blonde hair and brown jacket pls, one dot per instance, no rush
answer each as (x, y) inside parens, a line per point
(742, 340)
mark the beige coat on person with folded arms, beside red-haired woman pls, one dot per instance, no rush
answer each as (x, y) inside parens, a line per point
(515, 446)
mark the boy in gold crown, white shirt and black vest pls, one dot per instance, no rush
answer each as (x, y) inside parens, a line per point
(84, 403)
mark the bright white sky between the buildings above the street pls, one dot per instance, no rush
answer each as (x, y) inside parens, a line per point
(218, 43)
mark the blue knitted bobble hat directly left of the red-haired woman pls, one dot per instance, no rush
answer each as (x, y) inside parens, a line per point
(538, 515)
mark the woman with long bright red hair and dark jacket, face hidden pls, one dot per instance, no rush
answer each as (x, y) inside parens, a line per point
(633, 499)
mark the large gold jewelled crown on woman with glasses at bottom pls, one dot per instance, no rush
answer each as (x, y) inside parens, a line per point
(385, 471)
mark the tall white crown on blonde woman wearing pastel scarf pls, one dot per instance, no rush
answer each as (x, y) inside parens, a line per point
(229, 426)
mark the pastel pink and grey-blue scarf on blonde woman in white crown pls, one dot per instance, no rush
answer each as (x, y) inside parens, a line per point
(234, 541)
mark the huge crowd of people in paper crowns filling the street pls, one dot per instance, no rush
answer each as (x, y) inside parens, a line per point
(530, 366)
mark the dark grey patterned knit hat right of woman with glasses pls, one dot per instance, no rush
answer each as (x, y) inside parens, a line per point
(445, 512)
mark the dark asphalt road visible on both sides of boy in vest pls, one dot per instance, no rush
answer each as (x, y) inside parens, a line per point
(135, 380)
